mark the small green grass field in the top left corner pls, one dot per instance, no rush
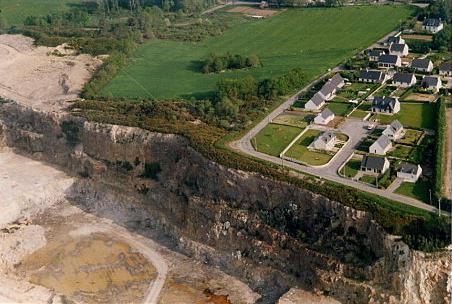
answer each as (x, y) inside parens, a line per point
(15, 11)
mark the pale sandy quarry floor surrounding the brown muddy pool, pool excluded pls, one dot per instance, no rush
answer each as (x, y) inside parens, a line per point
(33, 191)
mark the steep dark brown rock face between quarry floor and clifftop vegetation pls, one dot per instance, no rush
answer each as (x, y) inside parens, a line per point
(268, 233)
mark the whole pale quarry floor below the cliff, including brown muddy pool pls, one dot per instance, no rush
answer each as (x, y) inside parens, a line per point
(52, 251)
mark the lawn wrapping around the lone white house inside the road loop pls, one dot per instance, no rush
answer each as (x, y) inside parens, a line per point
(300, 150)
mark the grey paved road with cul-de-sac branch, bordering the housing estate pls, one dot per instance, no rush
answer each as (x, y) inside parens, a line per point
(354, 128)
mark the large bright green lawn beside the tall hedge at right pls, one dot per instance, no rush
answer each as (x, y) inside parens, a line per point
(414, 115)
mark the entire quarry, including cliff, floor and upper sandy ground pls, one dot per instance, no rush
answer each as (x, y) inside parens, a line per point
(84, 220)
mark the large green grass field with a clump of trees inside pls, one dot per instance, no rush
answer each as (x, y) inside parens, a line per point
(313, 39)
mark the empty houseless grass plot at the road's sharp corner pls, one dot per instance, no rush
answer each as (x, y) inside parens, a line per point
(274, 138)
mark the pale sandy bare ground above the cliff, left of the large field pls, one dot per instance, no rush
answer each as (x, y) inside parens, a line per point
(35, 77)
